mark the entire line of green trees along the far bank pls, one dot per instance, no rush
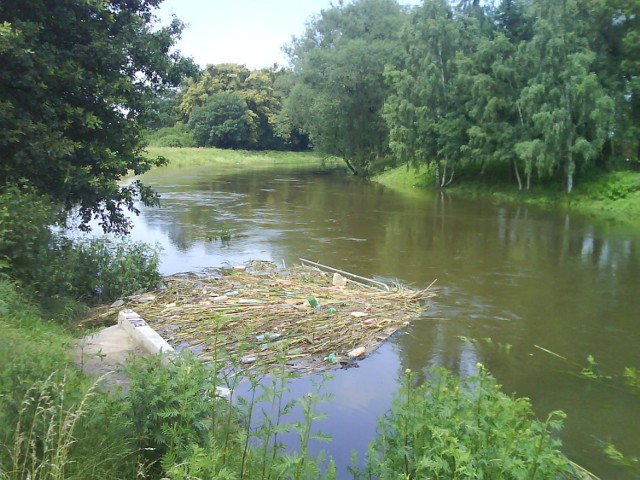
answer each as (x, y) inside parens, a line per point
(537, 90)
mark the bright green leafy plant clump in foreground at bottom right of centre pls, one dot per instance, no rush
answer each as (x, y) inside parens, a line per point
(451, 428)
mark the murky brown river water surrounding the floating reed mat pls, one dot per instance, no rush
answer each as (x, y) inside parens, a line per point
(509, 278)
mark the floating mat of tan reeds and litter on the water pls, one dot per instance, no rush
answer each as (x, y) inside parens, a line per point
(257, 313)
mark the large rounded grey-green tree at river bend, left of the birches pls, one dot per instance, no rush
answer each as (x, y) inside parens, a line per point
(340, 88)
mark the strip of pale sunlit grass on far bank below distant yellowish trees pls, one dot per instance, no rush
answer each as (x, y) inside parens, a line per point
(255, 159)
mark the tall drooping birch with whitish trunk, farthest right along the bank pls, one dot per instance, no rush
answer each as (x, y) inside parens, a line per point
(569, 113)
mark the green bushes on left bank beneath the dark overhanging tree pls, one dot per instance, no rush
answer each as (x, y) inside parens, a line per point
(56, 268)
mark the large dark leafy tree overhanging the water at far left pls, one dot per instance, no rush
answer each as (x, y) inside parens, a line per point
(75, 84)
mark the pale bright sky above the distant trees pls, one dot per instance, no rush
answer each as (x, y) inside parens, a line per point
(248, 32)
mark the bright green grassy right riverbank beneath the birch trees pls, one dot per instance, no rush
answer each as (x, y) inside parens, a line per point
(612, 196)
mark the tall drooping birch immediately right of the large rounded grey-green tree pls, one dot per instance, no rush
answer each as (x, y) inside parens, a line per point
(425, 109)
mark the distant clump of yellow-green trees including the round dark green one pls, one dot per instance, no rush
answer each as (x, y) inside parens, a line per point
(228, 106)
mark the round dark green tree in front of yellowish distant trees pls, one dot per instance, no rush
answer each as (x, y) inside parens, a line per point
(224, 121)
